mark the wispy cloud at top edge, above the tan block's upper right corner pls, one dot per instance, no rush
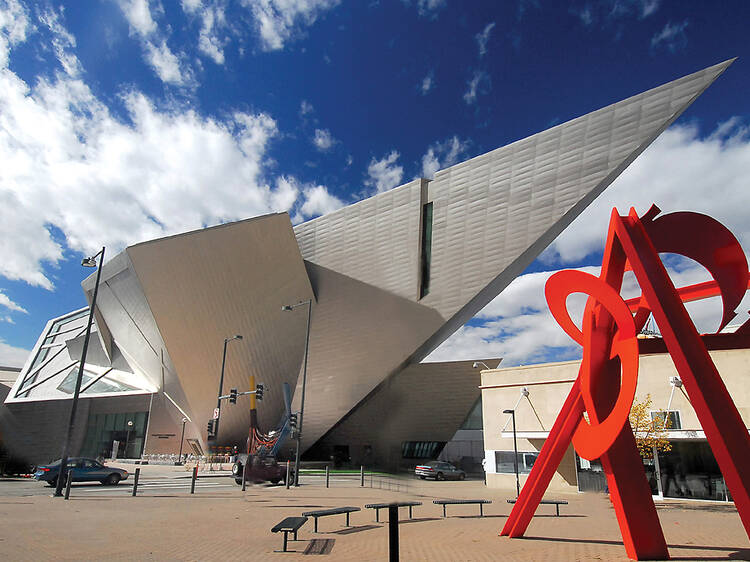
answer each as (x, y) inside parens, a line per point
(280, 21)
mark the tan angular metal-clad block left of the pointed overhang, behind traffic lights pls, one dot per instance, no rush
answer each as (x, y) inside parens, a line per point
(211, 284)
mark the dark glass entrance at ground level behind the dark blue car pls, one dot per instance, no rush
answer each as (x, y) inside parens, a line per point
(128, 430)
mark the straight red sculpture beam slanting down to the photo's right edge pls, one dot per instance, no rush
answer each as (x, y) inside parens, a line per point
(725, 430)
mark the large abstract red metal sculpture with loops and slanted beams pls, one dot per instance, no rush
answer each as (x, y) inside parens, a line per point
(607, 378)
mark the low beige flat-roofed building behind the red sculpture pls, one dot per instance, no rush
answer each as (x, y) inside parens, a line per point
(537, 392)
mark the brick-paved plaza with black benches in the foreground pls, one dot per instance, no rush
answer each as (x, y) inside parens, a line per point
(220, 522)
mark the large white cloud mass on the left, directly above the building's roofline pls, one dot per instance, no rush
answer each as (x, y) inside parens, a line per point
(102, 181)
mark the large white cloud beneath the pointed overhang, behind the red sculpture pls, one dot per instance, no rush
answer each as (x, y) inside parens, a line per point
(680, 171)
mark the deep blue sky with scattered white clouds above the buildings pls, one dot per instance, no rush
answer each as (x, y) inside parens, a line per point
(125, 120)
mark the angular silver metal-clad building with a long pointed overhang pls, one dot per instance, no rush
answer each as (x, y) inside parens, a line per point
(390, 278)
